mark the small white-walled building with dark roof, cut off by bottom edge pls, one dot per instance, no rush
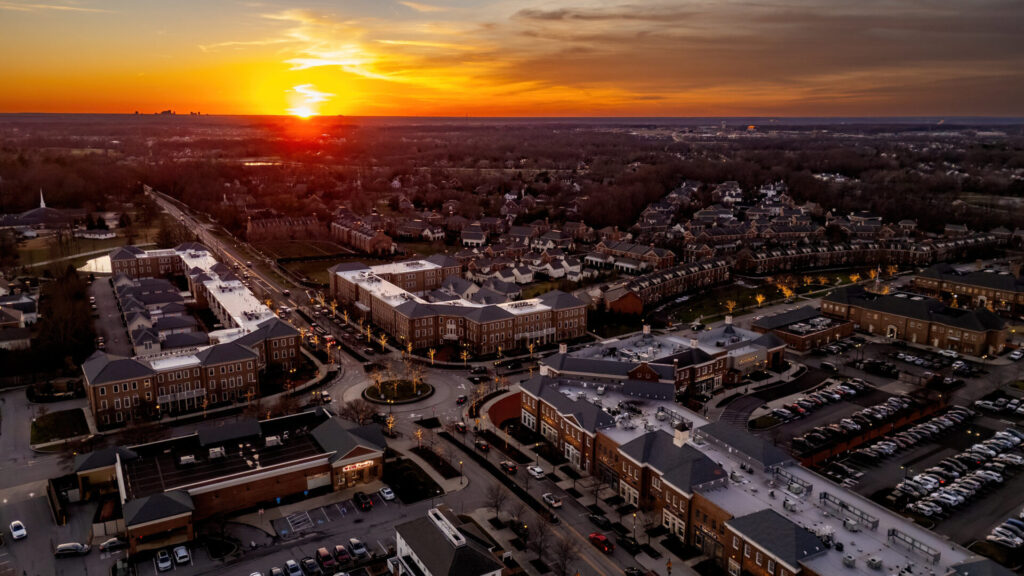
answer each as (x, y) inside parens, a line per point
(441, 545)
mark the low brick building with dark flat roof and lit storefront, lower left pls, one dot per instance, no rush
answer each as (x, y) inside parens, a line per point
(164, 489)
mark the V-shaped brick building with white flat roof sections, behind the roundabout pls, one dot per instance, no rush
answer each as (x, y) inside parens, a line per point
(402, 311)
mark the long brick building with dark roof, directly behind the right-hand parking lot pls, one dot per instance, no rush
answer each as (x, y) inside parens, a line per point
(920, 320)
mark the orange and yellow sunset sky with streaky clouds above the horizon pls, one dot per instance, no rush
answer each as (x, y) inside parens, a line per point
(516, 58)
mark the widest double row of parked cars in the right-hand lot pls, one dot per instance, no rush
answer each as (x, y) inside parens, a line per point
(959, 479)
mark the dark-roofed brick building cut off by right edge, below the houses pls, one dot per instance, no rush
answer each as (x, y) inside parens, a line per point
(1000, 292)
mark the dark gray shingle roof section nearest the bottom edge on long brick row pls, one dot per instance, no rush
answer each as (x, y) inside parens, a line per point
(779, 537)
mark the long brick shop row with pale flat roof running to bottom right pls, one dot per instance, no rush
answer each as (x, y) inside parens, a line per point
(735, 497)
